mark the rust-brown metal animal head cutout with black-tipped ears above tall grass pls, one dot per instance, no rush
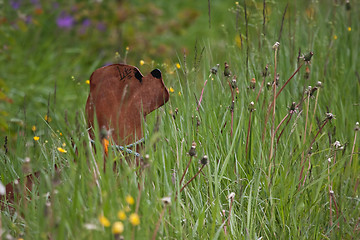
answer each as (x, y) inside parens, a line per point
(121, 96)
